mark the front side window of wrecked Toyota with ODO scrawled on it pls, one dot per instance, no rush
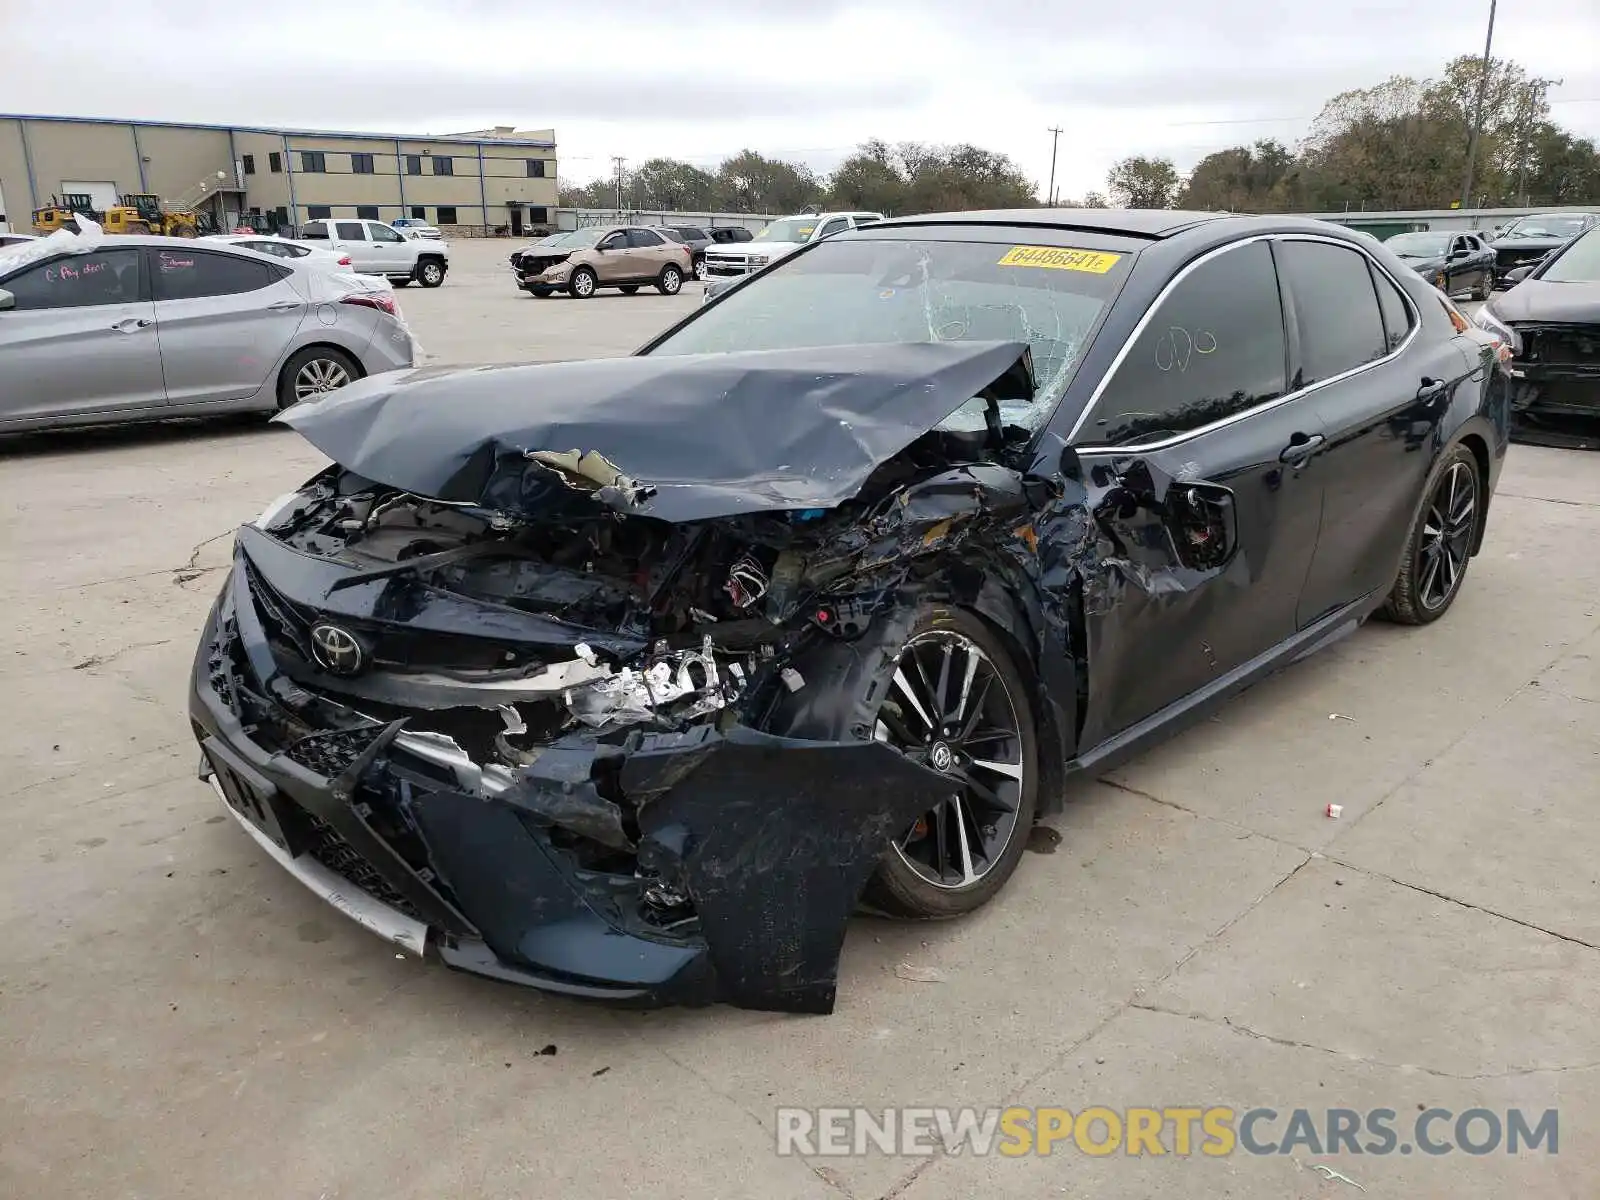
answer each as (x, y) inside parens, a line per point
(1198, 361)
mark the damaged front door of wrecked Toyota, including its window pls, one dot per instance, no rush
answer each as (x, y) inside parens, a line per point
(1206, 492)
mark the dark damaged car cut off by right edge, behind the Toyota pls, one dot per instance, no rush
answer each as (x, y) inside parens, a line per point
(1551, 324)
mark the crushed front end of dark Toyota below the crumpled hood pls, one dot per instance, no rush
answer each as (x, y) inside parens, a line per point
(546, 753)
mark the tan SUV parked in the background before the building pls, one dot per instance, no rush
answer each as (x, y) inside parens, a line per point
(604, 257)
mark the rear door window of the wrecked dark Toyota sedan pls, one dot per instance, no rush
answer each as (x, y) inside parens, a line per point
(1335, 310)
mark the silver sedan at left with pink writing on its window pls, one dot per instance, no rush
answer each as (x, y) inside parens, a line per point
(142, 329)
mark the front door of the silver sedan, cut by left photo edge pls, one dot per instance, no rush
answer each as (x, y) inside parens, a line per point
(82, 340)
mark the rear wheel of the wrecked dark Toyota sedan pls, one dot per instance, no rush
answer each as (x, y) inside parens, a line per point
(1441, 545)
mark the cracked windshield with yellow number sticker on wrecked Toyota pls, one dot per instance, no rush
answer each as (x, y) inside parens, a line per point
(897, 290)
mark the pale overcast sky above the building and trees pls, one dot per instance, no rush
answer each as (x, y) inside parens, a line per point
(703, 79)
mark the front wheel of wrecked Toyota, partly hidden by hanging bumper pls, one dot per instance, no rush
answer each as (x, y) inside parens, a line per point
(959, 705)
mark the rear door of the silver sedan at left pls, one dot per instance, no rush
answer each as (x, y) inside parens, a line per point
(220, 337)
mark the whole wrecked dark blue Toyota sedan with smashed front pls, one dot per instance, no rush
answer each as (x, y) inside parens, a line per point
(628, 679)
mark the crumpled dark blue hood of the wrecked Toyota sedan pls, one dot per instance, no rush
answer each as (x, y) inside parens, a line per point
(678, 438)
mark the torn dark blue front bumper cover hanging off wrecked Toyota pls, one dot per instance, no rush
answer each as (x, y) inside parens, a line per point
(769, 839)
